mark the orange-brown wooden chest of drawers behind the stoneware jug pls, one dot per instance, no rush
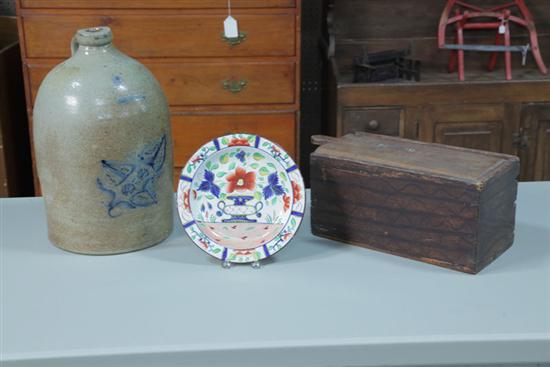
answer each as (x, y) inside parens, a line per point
(214, 85)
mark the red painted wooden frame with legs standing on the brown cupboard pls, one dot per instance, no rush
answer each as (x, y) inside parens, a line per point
(464, 18)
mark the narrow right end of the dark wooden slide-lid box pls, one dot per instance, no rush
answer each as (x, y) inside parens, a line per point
(497, 215)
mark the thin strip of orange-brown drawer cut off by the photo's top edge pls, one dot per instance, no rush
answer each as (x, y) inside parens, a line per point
(157, 4)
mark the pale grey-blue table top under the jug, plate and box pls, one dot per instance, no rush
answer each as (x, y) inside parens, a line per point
(317, 303)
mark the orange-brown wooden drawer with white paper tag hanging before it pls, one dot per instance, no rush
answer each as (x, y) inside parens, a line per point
(168, 35)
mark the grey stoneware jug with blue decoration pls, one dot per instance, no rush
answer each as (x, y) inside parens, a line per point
(103, 150)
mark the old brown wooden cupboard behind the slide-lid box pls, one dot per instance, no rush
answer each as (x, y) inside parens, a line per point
(485, 112)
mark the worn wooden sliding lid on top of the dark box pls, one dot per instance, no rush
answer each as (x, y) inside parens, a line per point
(466, 165)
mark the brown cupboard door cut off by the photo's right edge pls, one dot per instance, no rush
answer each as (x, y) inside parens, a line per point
(535, 126)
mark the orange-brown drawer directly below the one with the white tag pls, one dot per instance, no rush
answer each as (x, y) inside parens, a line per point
(188, 84)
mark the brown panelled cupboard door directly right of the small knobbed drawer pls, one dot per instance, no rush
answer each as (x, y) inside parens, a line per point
(485, 126)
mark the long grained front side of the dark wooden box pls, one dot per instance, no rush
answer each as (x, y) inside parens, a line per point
(424, 218)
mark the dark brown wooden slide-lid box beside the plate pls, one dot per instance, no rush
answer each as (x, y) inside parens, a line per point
(443, 205)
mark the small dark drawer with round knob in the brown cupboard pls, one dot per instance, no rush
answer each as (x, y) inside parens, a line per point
(385, 121)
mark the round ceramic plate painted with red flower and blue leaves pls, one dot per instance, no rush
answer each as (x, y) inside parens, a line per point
(241, 198)
